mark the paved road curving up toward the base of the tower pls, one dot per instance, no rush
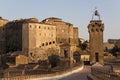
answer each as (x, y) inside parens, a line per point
(82, 75)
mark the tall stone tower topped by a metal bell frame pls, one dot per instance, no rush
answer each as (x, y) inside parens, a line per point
(96, 28)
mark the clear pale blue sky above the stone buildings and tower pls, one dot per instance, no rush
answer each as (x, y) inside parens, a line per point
(77, 12)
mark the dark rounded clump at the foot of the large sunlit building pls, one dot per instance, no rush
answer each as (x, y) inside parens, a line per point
(54, 60)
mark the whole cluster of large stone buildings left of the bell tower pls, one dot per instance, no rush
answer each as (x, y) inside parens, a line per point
(39, 40)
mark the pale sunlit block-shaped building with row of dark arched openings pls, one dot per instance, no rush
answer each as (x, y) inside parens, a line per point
(36, 38)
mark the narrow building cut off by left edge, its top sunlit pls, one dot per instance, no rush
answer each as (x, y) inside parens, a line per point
(2, 33)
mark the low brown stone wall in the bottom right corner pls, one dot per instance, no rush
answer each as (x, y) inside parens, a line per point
(102, 74)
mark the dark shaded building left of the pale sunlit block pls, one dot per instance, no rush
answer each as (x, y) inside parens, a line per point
(13, 34)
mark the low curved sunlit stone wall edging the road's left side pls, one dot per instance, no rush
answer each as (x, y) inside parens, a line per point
(46, 76)
